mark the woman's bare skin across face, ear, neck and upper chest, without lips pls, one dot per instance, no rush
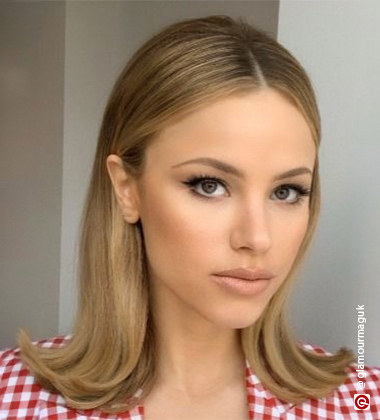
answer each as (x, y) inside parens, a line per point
(247, 222)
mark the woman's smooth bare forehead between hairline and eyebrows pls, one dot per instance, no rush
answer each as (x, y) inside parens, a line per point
(250, 125)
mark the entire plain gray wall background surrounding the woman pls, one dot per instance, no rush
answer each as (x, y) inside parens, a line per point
(58, 62)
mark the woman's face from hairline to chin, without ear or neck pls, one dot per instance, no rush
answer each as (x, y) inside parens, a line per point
(194, 228)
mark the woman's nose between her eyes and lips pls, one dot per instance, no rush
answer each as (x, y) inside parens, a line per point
(252, 228)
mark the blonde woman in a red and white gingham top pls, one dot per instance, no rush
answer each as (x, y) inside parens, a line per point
(190, 246)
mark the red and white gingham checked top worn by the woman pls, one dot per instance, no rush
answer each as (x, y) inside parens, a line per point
(21, 397)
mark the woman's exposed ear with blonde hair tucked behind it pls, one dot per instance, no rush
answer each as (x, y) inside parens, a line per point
(125, 189)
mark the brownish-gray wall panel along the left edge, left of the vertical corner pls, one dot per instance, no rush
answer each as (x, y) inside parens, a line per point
(31, 134)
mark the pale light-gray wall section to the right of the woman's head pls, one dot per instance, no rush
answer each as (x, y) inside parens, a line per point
(339, 44)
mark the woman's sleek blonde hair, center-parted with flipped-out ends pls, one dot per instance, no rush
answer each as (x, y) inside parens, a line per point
(111, 354)
